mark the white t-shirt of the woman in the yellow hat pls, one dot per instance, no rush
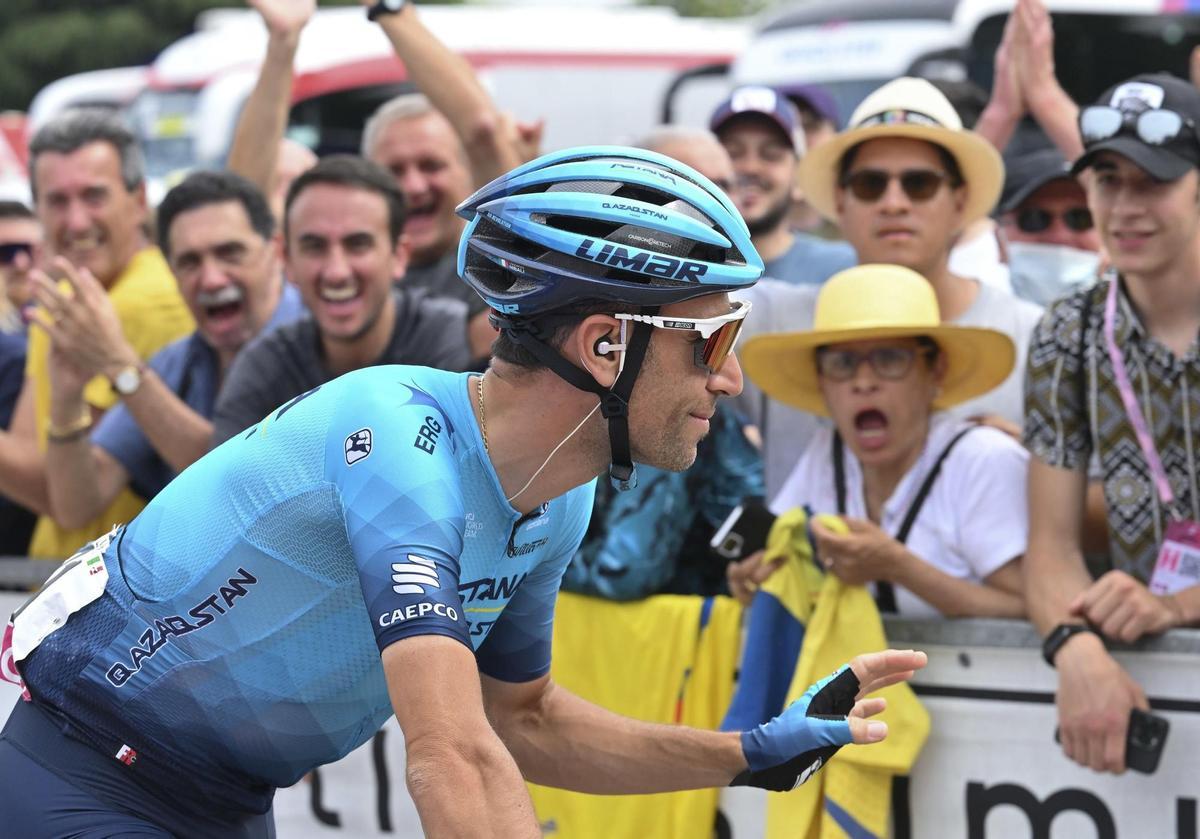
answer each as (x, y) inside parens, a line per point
(974, 520)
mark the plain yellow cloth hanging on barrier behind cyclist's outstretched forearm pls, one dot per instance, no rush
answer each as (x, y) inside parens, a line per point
(649, 661)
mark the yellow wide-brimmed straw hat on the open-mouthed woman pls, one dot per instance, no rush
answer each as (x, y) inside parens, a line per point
(871, 303)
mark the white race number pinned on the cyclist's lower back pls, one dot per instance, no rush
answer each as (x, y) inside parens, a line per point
(79, 582)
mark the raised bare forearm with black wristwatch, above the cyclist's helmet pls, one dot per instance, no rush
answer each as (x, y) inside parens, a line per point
(452, 86)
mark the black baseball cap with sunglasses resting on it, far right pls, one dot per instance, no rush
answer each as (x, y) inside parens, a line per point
(1165, 92)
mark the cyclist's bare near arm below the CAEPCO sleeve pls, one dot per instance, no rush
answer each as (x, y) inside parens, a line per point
(463, 780)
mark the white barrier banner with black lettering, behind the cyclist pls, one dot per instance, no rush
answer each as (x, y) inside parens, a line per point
(991, 769)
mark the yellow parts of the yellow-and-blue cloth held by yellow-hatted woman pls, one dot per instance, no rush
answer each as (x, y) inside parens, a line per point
(841, 624)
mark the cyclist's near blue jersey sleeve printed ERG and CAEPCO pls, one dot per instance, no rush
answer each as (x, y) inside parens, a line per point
(404, 512)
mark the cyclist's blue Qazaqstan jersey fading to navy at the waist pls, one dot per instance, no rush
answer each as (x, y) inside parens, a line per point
(237, 643)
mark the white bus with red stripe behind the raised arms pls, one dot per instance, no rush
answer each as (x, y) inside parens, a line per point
(596, 74)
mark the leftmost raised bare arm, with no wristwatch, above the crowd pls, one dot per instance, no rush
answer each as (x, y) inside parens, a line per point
(256, 142)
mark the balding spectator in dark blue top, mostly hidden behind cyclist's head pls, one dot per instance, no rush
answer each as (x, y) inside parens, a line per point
(655, 538)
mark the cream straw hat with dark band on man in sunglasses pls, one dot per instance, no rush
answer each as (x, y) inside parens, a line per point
(907, 107)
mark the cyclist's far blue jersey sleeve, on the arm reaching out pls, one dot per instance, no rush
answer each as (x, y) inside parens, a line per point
(518, 649)
